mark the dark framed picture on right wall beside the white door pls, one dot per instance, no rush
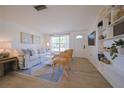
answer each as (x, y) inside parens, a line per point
(92, 39)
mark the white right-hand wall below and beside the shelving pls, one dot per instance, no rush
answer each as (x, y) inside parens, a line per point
(112, 72)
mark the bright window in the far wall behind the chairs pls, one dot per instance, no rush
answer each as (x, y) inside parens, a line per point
(60, 43)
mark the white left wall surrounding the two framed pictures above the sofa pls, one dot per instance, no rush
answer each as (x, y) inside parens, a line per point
(10, 31)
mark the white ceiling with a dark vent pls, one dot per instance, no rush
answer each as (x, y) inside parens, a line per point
(54, 19)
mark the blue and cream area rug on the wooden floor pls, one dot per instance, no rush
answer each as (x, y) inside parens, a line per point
(45, 73)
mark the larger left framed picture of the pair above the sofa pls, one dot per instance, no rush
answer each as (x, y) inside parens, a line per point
(26, 38)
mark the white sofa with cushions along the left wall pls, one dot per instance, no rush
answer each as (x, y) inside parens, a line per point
(29, 58)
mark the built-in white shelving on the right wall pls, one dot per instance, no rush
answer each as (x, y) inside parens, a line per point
(106, 30)
